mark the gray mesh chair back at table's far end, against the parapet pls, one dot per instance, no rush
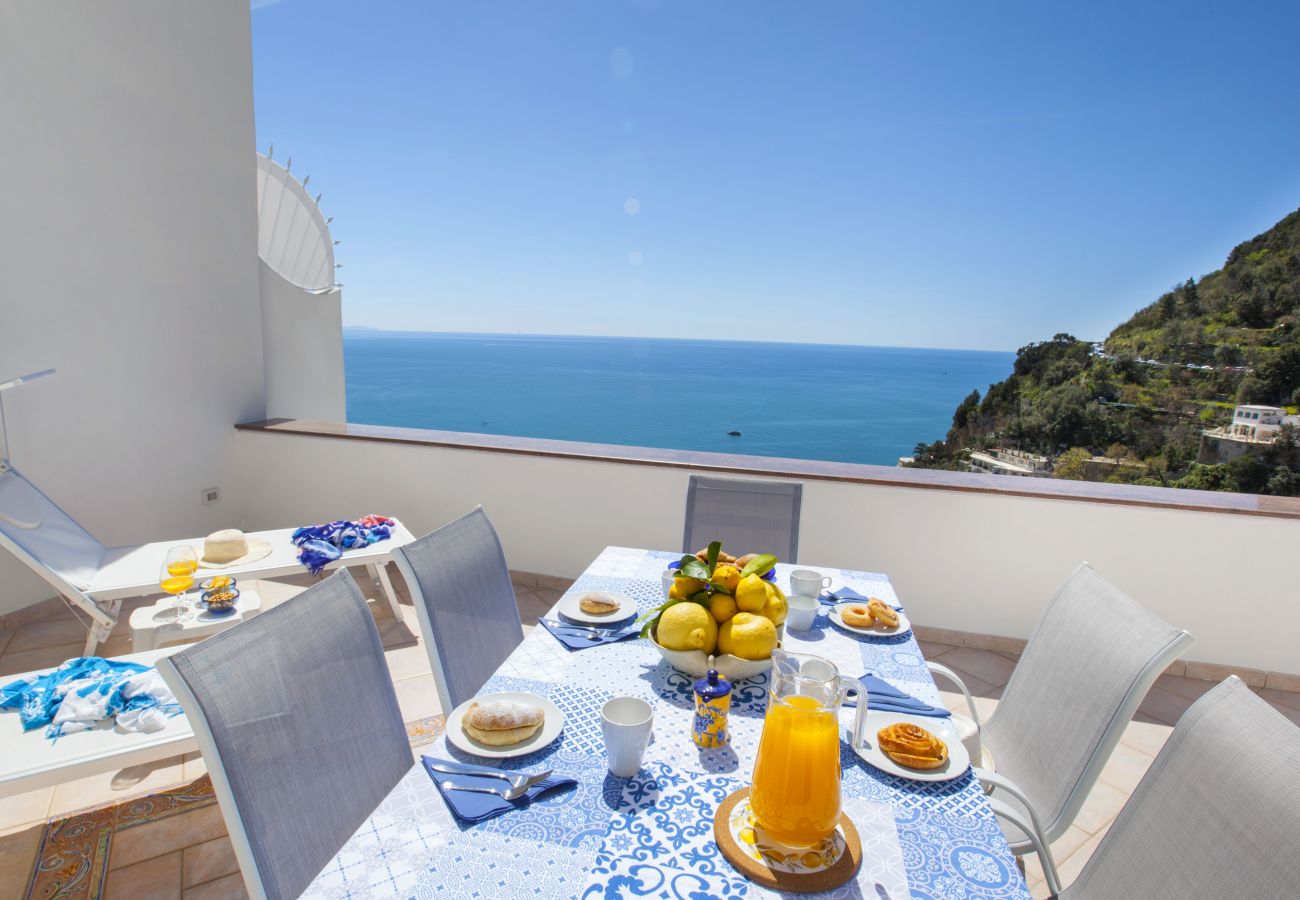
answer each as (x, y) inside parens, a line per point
(747, 517)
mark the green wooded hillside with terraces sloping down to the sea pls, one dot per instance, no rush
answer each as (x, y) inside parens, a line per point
(1145, 395)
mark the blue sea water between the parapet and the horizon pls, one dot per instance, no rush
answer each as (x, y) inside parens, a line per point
(846, 404)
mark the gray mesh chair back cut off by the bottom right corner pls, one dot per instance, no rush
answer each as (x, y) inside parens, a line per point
(1216, 816)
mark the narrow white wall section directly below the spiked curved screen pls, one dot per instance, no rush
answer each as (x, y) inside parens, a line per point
(304, 340)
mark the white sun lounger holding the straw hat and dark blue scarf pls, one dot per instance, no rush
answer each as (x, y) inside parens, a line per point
(96, 579)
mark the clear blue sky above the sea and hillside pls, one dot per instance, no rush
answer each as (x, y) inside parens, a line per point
(938, 175)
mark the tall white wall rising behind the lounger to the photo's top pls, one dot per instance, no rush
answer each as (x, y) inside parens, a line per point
(128, 261)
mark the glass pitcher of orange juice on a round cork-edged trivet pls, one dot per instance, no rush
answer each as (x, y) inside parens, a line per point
(796, 791)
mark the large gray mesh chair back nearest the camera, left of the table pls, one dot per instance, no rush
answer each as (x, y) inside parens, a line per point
(298, 724)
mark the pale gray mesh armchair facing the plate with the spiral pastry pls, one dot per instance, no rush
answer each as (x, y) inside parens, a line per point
(1087, 667)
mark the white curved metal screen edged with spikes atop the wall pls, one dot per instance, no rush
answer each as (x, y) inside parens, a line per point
(293, 235)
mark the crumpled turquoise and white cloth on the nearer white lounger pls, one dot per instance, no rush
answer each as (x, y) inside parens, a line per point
(86, 691)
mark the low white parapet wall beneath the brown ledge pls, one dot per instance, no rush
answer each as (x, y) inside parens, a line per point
(965, 561)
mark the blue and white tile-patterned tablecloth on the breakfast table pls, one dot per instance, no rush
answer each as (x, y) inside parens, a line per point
(652, 836)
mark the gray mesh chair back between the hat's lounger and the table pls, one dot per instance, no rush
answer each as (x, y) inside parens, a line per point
(461, 586)
